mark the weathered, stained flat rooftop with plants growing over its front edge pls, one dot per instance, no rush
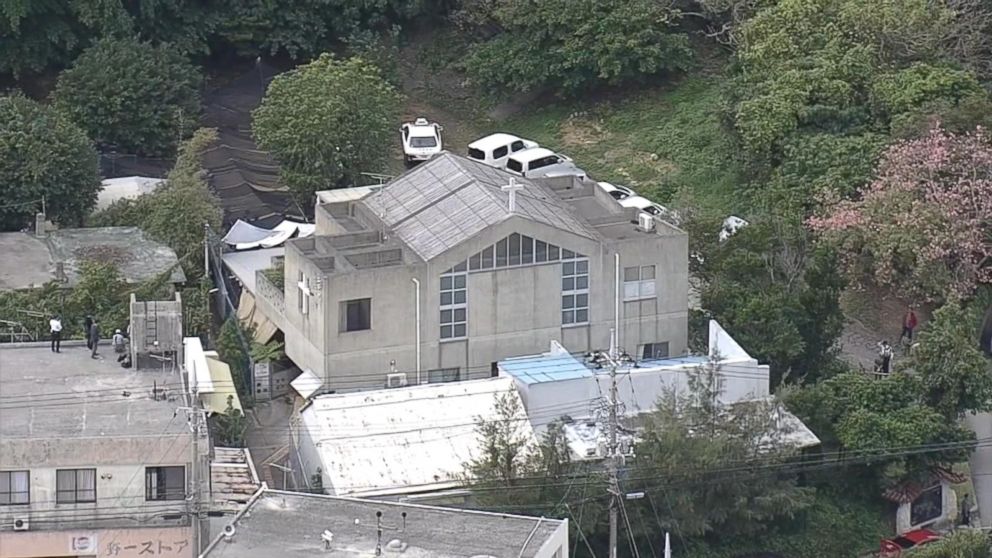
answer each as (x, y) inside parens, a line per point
(30, 261)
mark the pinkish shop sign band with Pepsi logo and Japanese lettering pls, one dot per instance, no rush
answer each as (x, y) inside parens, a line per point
(164, 542)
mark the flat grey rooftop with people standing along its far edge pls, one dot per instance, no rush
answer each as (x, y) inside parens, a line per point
(68, 394)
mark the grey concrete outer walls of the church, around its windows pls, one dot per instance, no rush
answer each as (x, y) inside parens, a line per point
(511, 311)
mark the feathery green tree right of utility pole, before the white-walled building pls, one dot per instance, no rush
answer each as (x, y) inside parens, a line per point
(717, 466)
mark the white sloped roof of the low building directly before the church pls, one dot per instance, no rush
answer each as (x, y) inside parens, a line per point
(403, 440)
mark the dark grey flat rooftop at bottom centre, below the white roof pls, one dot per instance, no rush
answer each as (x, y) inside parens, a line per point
(290, 524)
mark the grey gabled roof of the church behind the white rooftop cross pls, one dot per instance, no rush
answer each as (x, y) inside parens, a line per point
(450, 199)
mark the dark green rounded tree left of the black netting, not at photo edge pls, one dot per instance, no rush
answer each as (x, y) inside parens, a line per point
(131, 95)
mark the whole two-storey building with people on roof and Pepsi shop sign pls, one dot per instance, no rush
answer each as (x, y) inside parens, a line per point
(94, 459)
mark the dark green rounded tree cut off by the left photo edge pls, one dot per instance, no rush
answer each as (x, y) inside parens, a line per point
(43, 156)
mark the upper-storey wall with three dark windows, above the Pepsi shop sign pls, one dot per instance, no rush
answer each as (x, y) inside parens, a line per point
(120, 479)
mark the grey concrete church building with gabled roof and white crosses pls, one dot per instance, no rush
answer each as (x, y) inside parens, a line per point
(455, 265)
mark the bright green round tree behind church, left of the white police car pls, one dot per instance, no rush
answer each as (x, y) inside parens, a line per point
(326, 122)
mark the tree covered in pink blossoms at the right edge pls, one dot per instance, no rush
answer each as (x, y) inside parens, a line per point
(923, 227)
